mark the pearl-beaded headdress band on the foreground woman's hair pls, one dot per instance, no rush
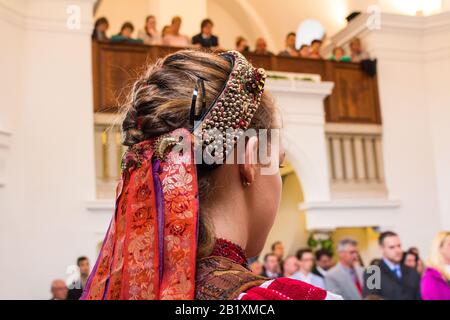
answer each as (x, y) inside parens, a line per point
(221, 124)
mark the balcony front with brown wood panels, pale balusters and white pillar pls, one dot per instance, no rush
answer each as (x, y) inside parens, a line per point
(331, 113)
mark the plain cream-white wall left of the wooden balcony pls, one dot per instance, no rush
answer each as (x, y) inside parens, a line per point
(44, 223)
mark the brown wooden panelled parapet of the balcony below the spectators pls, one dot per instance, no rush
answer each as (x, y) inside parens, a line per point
(354, 98)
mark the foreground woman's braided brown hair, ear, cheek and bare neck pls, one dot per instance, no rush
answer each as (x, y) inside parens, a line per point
(233, 197)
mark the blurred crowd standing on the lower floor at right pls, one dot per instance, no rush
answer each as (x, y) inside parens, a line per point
(397, 275)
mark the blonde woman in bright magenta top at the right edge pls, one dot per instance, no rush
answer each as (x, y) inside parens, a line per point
(435, 283)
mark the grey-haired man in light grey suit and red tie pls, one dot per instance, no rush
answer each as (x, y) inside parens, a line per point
(345, 279)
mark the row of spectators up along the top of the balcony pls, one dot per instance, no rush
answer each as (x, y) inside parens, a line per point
(171, 36)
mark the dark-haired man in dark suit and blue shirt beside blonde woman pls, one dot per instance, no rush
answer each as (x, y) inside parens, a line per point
(397, 282)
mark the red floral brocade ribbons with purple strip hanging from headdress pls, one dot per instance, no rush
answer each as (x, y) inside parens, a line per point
(132, 263)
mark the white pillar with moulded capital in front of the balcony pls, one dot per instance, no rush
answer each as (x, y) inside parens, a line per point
(304, 134)
